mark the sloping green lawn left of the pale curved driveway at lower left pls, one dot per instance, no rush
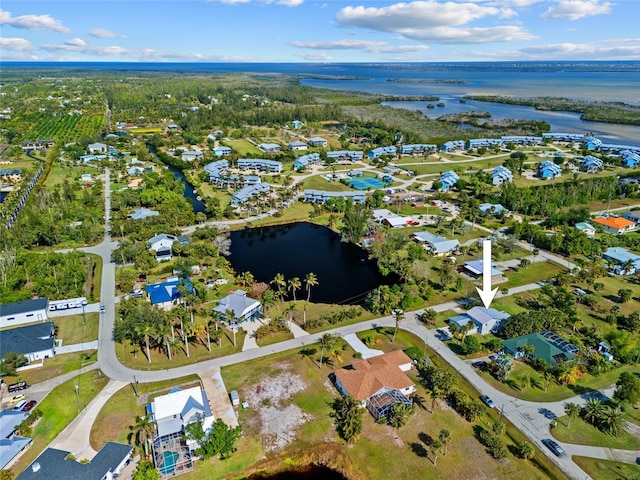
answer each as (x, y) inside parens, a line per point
(59, 408)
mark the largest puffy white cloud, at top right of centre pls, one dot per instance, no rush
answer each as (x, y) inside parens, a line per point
(434, 21)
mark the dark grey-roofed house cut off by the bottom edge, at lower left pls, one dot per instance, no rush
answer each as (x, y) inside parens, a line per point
(54, 464)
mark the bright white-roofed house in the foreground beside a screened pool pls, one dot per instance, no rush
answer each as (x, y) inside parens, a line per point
(177, 409)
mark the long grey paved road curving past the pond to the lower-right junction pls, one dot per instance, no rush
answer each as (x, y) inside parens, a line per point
(532, 418)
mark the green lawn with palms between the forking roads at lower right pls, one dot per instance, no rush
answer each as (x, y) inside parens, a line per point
(583, 433)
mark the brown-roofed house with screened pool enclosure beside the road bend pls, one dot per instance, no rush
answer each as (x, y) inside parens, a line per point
(378, 382)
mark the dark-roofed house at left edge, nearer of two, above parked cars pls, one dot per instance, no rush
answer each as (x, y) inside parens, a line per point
(35, 342)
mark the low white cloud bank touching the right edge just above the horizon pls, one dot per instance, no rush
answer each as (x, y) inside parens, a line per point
(622, 49)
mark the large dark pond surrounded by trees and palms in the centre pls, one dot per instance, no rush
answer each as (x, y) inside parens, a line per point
(345, 274)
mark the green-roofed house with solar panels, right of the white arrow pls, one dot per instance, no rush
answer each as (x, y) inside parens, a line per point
(546, 346)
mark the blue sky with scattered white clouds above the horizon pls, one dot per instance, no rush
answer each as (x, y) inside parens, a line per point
(319, 31)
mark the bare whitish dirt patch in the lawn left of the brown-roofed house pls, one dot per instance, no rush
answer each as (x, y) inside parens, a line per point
(279, 418)
